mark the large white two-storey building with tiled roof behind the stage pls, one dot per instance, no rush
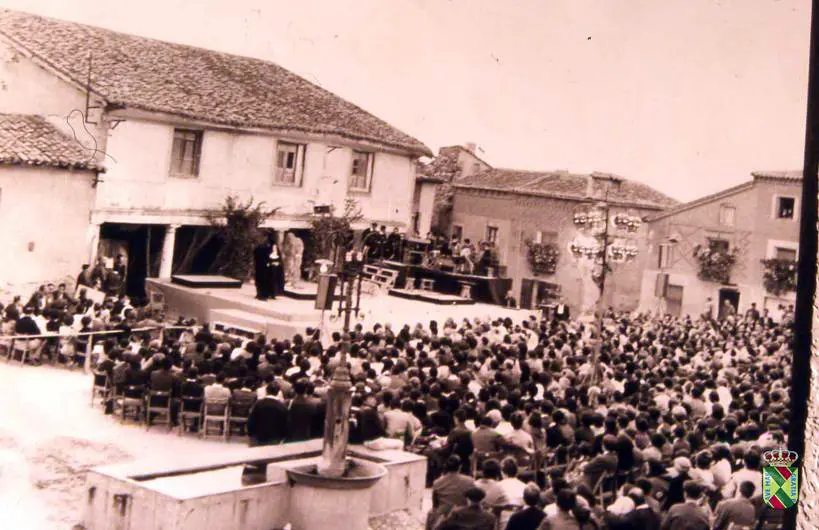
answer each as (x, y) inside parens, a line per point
(179, 129)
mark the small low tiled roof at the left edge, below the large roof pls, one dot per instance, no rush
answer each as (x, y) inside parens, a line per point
(32, 141)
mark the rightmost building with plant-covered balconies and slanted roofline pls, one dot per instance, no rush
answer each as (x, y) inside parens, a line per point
(752, 222)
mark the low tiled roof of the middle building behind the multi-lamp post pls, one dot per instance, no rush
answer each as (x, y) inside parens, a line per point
(562, 184)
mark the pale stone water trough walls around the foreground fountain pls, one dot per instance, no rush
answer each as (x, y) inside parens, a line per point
(207, 494)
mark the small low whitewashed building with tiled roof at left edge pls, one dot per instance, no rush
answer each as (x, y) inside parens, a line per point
(42, 240)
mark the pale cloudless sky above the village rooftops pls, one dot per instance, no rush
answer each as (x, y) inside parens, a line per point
(688, 96)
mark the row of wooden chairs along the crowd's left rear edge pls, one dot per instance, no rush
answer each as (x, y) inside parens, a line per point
(224, 417)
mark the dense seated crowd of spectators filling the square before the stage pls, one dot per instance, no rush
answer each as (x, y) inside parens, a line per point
(517, 431)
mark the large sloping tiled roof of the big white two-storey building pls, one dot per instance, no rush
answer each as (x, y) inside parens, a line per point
(195, 83)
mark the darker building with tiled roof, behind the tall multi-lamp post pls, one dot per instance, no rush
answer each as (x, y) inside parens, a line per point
(518, 209)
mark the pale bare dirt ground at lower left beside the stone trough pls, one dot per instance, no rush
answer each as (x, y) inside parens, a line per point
(50, 436)
